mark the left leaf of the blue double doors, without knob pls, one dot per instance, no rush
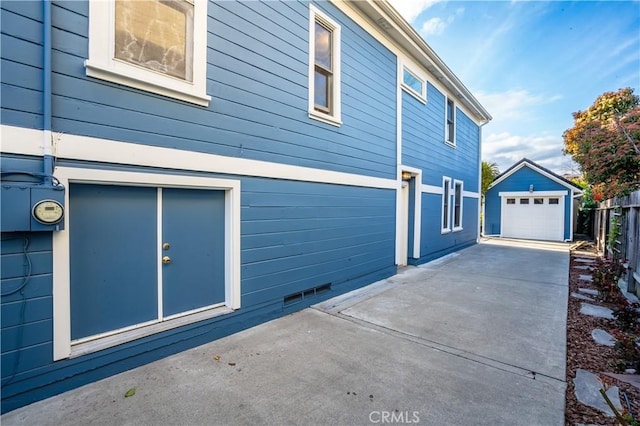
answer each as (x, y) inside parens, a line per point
(113, 248)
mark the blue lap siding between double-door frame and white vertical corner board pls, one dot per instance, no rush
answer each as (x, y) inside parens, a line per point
(297, 236)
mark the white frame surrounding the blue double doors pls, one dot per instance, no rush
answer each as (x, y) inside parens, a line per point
(63, 347)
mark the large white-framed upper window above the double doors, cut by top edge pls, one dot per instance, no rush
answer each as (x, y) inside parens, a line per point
(155, 45)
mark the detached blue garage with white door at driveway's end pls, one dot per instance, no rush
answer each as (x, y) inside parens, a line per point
(531, 202)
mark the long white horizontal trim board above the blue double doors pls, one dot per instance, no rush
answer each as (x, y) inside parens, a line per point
(17, 140)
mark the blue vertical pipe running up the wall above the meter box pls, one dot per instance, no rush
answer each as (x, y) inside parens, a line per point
(48, 160)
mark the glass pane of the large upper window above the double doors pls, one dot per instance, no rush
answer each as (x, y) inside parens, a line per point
(156, 35)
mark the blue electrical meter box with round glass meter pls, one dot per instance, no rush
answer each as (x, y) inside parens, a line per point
(29, 208)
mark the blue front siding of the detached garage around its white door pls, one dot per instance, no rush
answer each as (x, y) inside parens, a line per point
(520, 180)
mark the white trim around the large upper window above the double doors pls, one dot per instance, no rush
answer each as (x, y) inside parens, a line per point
(103, 65)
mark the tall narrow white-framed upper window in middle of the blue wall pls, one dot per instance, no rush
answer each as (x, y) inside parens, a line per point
(324, 68)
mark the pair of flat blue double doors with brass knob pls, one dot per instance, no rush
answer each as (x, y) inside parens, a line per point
(127, 271)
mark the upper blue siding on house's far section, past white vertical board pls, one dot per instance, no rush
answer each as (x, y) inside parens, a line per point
(423, 141)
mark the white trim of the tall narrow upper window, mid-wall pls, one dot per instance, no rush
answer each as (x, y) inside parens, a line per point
(336, 117)
